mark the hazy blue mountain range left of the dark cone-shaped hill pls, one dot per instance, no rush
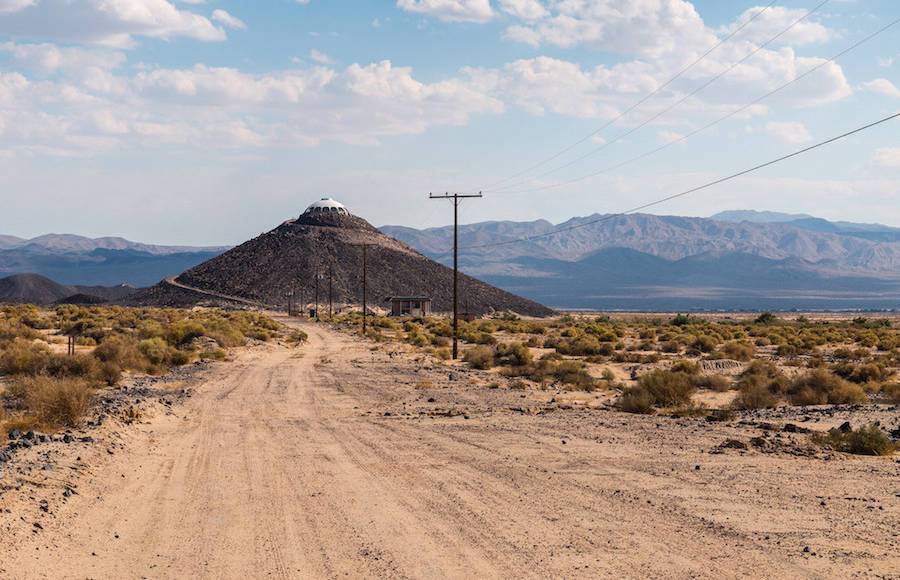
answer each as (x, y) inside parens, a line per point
(71, 259)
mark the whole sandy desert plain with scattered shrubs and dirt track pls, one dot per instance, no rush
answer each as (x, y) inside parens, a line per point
(225, 444)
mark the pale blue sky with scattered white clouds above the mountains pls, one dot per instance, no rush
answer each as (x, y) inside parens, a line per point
(209, 122)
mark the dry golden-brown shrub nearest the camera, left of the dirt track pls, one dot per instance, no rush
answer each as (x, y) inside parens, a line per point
(54, 402)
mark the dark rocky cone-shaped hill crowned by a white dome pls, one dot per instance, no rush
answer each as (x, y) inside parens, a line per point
(268, 267)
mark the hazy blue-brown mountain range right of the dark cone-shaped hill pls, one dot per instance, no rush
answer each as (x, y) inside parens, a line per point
(734, 260)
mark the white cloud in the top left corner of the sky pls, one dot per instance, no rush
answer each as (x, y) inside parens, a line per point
(108, 22)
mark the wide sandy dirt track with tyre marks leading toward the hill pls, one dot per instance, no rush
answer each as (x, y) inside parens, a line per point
(285, 464)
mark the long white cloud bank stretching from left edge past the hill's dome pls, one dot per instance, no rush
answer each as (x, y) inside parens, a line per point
(225, 107)
